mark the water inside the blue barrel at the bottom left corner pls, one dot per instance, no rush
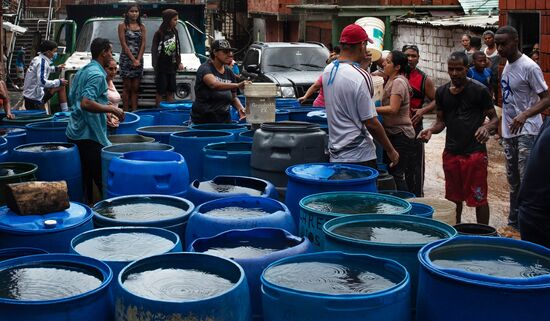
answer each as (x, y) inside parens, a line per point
(46, 282)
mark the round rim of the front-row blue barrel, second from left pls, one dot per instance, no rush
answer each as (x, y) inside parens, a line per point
(158, 258)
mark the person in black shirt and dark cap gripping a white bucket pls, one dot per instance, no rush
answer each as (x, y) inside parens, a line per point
(216, 87)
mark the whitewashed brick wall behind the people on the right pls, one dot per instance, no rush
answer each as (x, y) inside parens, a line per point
(435, 45)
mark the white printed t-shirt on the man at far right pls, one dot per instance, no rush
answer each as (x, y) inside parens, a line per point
(521, 83)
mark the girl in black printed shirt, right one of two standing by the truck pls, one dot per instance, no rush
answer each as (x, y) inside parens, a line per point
(166, 57)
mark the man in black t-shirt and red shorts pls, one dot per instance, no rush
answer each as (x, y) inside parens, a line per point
(462, 105)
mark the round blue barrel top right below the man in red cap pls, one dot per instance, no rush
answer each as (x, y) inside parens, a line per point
(331, 173)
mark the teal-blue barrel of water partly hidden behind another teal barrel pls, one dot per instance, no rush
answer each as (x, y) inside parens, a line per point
(317, 209)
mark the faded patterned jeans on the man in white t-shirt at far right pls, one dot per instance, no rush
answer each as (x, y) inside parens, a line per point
(516, 150)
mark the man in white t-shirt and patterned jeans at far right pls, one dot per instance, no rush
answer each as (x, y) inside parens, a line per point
(524, 97)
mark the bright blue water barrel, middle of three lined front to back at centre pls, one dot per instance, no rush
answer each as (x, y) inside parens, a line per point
(201, 224)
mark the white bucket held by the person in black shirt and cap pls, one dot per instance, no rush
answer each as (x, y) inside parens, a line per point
(260, 102)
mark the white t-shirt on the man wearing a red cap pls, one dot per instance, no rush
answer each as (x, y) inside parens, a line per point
(349, 103)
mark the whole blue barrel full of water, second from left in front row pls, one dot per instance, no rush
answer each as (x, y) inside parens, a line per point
(189, 302)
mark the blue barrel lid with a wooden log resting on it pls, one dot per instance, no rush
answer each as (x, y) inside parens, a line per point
(75, 215)
